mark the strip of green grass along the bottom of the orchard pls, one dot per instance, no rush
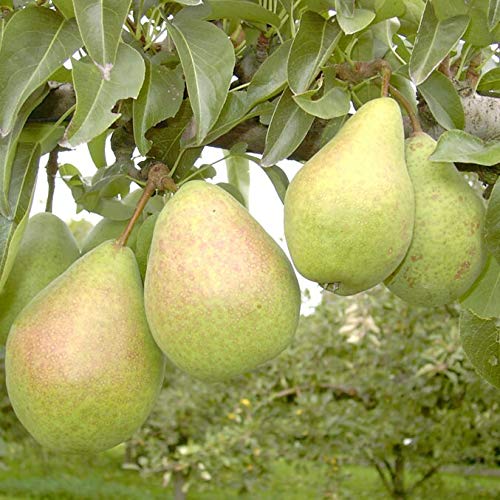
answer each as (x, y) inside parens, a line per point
(31, 473)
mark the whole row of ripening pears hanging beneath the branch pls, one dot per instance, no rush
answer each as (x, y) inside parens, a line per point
(85, 356)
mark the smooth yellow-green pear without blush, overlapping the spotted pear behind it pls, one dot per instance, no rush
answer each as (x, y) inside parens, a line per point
(349, 211)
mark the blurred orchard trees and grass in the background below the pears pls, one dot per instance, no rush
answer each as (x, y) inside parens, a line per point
(375, 399)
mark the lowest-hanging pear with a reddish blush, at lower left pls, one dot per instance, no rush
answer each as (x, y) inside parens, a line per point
(82, 369)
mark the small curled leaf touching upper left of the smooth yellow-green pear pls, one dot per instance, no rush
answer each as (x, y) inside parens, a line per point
(335, 102)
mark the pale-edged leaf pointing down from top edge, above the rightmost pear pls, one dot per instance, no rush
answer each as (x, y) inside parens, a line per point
(434, 41)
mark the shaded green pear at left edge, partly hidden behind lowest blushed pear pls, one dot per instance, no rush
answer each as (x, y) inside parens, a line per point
(47, 249)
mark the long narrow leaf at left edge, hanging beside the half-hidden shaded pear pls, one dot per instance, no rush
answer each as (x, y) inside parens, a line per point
(22, 185)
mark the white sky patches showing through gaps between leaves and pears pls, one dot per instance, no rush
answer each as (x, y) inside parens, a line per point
(264, 203)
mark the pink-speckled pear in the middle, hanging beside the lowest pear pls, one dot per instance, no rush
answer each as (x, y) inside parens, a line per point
(220, 295)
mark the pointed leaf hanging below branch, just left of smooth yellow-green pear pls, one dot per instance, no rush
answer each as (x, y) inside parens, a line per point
(288, 128)
